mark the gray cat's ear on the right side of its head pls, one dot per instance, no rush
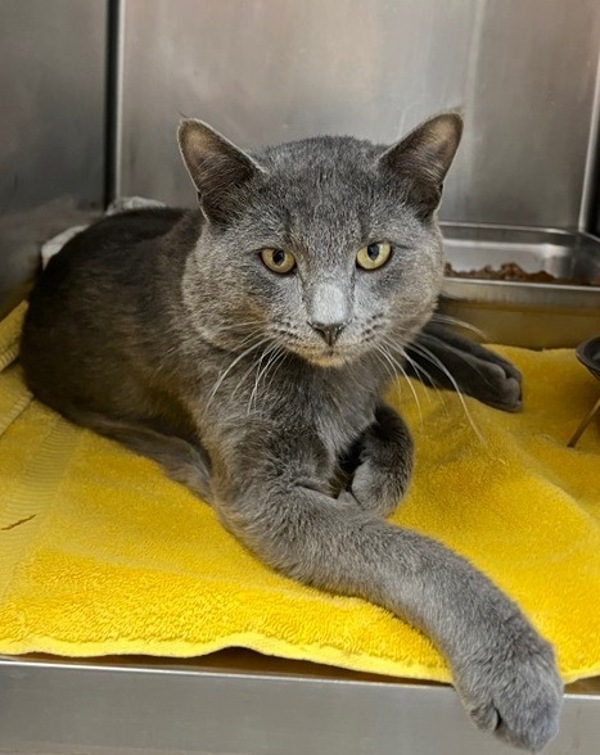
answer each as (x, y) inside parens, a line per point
(423, 158)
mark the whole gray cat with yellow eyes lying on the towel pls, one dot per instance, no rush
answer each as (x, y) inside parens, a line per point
(245, 346)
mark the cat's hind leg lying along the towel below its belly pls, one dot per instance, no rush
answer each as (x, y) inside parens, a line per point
(183, 461)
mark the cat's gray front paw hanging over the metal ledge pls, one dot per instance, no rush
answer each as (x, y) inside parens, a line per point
(513, 690)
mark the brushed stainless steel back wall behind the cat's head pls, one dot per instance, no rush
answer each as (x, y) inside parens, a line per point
(522, 70)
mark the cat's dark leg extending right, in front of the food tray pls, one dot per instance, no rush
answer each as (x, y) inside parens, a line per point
(437, 353)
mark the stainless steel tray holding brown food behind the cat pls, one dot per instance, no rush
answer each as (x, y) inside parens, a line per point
(535, 315)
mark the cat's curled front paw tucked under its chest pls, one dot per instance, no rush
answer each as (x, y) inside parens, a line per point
(379, 464)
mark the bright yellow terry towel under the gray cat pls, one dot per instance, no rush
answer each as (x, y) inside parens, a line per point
(101, 554)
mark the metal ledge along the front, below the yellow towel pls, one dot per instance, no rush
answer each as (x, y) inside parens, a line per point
(240, 703)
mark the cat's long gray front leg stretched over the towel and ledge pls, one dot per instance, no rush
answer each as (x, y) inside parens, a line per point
(504, 672)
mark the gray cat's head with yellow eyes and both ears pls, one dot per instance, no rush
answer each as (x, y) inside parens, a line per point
(328, 247)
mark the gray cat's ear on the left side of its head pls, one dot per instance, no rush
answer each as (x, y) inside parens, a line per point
(216, 166)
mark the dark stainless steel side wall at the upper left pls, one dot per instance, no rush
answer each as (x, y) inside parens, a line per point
(52, 91)
